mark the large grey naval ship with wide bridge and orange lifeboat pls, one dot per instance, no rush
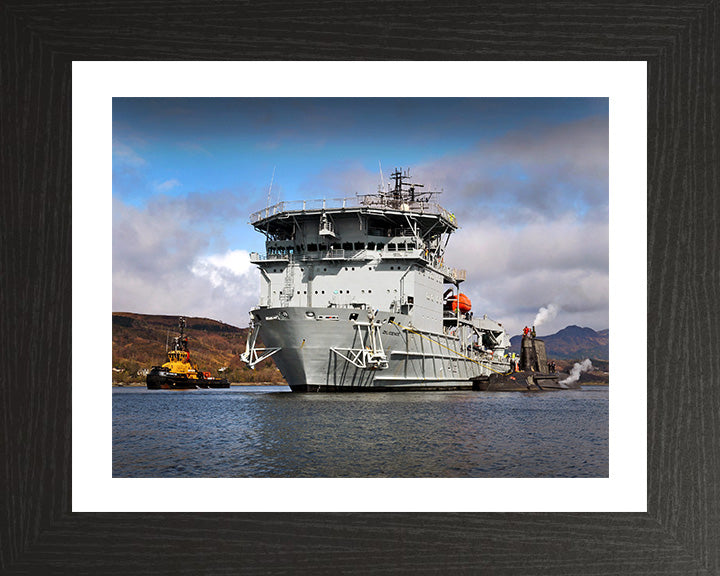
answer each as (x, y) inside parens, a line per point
(356, 296)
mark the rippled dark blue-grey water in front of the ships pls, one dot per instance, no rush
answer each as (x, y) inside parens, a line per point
(263, 432)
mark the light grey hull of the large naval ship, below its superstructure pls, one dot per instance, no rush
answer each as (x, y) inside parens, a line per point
(317, 348)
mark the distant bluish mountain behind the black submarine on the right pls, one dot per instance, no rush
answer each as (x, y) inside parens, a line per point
(573, 343)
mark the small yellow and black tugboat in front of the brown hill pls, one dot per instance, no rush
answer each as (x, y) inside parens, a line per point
(179, 372)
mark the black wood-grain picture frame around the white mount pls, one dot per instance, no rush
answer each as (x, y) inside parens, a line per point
(680, 533)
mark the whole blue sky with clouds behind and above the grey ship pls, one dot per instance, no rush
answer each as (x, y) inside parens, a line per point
(526, 177)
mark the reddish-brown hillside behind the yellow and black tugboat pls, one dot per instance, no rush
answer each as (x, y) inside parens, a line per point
(139, 342)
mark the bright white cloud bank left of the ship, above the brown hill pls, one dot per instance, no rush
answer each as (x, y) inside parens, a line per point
(160, 267)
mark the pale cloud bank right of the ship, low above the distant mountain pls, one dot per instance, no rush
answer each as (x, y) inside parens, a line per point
(514, 271)
